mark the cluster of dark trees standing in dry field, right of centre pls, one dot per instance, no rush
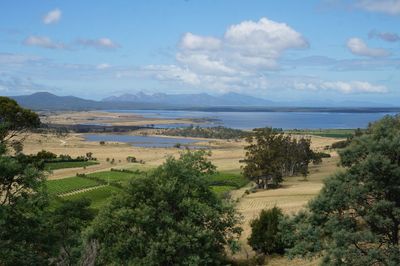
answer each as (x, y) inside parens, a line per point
(271, 155)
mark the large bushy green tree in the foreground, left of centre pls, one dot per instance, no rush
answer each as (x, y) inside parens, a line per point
(169, 217)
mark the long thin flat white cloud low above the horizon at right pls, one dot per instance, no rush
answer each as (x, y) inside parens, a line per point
(345, 87)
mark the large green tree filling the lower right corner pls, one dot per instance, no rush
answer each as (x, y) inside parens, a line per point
(355, 220)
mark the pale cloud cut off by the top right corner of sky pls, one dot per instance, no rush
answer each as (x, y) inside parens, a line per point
(391, 7)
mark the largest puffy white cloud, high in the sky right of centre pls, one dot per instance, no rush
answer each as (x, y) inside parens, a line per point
(249, 45)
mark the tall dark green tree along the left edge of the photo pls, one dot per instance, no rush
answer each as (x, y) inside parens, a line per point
(24, 237)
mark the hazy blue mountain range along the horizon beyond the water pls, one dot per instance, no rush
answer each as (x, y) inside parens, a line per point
(201, 101)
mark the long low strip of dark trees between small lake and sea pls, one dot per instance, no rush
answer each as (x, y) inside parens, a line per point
(206, 132)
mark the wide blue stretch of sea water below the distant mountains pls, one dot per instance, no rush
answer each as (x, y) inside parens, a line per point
(284, 120)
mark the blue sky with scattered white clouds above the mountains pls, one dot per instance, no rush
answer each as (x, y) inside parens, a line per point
(287, 50)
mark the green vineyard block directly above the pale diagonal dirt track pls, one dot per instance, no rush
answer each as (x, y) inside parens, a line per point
(66, 185)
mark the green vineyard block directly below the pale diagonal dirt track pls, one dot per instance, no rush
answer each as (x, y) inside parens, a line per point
(98, 196)
